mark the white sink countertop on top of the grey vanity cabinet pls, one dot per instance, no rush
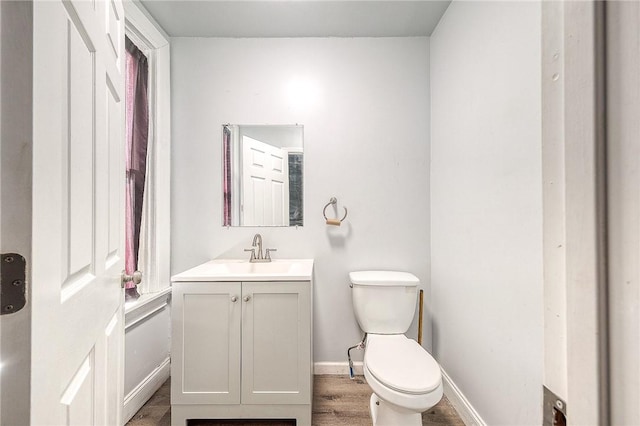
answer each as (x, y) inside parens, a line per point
(243, 270)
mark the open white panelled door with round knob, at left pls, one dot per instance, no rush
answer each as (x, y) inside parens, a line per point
(78, 225)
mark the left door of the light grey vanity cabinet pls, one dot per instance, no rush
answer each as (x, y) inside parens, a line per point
(205, 367)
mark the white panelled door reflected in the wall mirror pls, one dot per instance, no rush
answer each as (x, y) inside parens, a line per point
(265, 184)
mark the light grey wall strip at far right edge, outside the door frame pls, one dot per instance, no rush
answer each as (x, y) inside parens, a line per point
(623, 156)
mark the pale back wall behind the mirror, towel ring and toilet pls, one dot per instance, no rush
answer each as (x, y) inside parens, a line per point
(366, 128)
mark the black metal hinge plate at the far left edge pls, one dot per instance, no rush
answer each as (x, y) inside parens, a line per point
(13, 283)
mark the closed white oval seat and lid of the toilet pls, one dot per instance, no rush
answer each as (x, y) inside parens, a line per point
(401, 364)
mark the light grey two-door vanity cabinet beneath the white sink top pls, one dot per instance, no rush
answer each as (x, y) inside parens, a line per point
(241, 349)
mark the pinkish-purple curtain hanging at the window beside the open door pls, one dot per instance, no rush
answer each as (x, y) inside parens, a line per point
(137, 133)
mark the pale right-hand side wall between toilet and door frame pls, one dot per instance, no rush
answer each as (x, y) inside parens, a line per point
(486, 216)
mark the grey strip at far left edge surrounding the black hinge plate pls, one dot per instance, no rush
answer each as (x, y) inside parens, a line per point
(16, 48)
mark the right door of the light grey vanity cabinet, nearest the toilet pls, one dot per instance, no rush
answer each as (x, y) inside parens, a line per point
(276, 343)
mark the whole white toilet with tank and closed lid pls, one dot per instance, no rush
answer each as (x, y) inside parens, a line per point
(404, 377)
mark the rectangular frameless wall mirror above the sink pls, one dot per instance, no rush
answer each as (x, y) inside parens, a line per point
(262, 183)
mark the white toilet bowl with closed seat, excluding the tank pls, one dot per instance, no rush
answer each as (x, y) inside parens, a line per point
(405, 380)
